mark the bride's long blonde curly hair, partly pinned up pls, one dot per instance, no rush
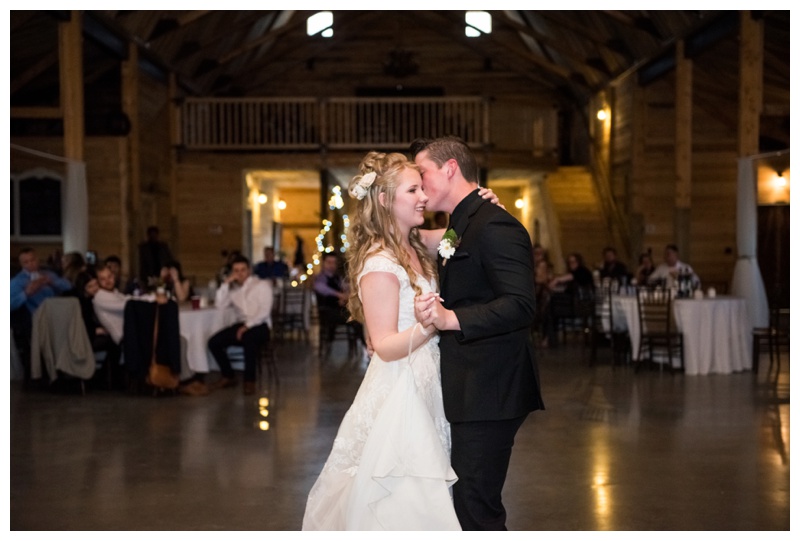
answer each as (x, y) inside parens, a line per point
(373, 227)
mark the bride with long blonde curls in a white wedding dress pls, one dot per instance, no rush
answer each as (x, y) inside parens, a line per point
(389, 468)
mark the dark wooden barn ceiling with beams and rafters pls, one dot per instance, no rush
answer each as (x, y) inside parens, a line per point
(560, 57)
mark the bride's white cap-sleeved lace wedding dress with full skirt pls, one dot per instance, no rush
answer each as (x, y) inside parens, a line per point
(389, 468)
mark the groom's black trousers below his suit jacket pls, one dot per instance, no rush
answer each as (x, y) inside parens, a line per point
(480, 456)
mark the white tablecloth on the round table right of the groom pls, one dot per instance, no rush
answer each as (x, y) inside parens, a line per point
(717, 335)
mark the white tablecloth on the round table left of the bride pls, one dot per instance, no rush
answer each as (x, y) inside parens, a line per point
(197, 326)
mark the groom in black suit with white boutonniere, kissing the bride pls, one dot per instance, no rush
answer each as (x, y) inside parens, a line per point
(490, 380)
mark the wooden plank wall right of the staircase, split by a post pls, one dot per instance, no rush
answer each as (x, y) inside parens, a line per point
(643, 174)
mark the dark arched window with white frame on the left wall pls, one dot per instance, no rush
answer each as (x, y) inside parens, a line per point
(36, 198)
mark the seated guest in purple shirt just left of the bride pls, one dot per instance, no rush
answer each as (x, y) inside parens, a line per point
(332, 294)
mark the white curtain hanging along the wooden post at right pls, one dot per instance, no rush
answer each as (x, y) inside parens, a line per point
(747, 281)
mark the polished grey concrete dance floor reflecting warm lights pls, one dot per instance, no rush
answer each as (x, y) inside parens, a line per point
(615, 450)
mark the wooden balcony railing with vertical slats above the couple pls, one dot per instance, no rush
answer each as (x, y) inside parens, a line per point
(350, 123)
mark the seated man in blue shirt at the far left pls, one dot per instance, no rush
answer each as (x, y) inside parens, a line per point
(29, 288)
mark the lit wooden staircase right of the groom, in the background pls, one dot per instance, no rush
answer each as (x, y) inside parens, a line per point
(581, 225)
